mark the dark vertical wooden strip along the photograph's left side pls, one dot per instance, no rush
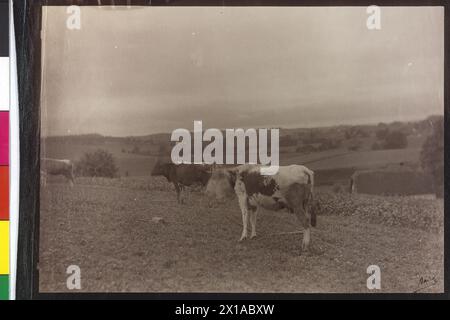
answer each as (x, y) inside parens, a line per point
(27, 27)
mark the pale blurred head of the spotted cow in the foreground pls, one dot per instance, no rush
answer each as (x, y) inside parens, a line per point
(221, 184)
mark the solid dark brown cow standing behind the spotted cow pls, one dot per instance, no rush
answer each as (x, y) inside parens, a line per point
(182, 175)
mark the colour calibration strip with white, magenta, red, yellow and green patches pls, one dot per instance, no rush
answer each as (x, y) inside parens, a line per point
(4, 150)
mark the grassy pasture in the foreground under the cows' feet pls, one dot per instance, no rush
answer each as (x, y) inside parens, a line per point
(105, 226)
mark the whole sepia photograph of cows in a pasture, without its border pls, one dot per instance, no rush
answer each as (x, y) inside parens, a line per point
(241, 149)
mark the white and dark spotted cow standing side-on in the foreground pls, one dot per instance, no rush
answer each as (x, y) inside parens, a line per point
(290, 188)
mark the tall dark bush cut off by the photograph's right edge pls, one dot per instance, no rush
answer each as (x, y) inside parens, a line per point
(432, 156)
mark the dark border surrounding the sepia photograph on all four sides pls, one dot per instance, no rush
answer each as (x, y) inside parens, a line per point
(27, 17)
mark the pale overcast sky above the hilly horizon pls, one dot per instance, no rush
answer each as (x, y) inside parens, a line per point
(147, 70)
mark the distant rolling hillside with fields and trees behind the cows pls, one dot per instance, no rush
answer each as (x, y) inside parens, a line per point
(320, 148)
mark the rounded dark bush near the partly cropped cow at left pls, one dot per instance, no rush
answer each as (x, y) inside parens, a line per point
(99, 163)
